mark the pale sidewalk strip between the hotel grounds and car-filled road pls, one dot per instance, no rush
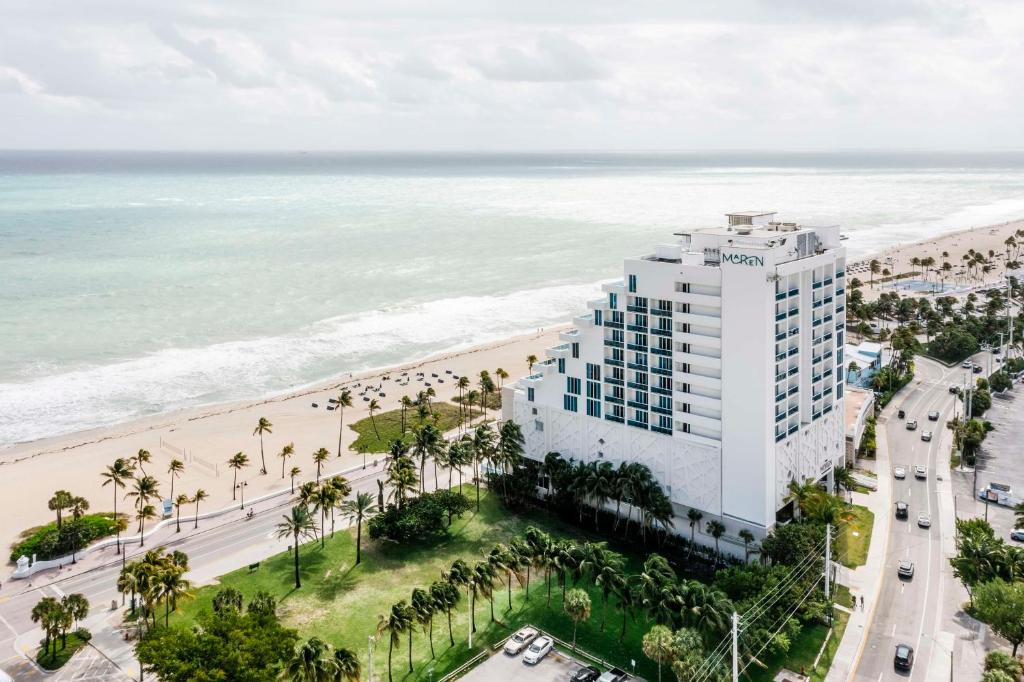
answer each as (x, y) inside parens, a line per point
(866, 581)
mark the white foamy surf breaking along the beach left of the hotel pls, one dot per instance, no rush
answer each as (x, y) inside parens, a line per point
(180, 378)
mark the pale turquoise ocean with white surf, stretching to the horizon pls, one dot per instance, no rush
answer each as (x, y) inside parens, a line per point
(136, 284)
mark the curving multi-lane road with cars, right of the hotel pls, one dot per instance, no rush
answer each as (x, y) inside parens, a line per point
(919, 612)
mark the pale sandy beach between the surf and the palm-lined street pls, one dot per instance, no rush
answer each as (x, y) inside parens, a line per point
(206, 438)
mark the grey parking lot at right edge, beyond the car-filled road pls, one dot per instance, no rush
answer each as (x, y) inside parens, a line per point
(1001, 461)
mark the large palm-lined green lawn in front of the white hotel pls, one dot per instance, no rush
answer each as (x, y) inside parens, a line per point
(340, 603)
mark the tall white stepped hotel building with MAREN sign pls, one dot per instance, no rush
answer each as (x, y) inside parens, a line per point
(717, 363)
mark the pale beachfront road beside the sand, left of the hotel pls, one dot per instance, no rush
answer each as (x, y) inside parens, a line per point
(221, 545)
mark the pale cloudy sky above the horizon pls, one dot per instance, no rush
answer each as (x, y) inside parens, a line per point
(511, 74)
